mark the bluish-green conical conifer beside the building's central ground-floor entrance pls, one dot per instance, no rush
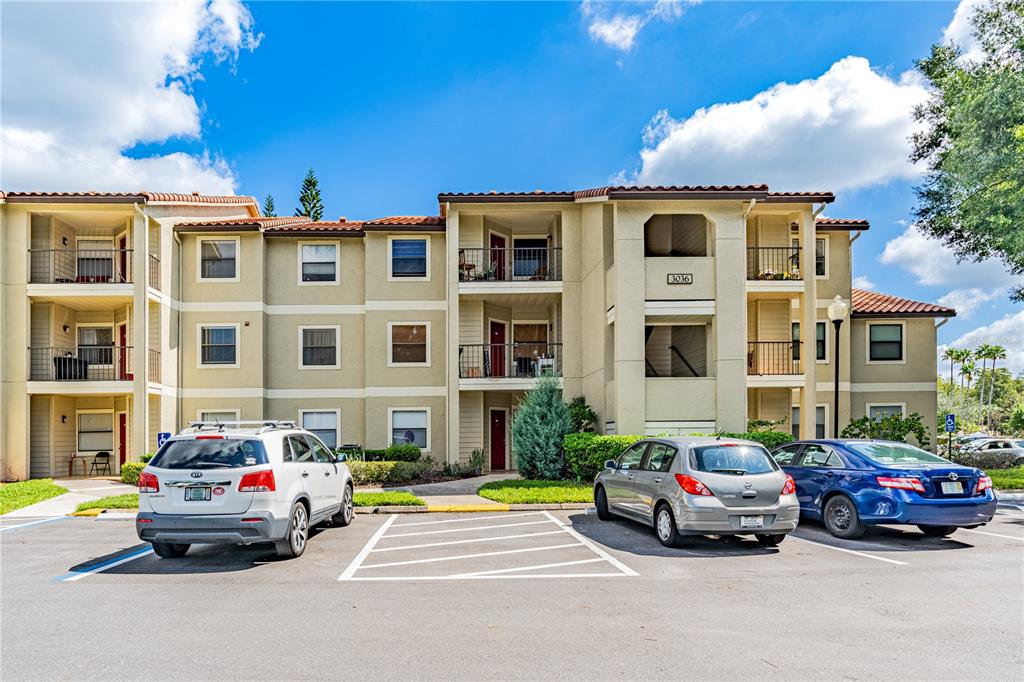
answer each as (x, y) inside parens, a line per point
(540, 425)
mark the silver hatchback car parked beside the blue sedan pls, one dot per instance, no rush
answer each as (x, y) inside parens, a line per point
(687, 487)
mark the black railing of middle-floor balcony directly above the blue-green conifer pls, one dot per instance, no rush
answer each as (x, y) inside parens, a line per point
(509, 361)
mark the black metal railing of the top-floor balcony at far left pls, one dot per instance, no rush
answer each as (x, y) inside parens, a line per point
(80, 266)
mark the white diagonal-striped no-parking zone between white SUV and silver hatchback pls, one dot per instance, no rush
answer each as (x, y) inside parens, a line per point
(530, 545)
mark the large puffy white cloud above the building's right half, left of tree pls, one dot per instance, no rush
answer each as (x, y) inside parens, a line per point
(847, 129)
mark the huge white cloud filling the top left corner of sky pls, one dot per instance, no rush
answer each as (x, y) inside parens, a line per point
(96, 79)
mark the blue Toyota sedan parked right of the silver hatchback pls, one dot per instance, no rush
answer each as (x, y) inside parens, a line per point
(849, 485)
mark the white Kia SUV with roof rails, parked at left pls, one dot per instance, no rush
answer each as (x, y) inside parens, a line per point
(225, 483)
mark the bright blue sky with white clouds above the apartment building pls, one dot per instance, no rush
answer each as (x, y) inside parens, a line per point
(393, 103)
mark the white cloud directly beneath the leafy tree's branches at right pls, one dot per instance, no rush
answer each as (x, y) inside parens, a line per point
(934, 265)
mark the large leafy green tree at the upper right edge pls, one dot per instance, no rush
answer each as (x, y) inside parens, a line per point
(972, 197)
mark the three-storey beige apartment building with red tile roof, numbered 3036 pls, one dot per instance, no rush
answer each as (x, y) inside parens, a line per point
(670, 310)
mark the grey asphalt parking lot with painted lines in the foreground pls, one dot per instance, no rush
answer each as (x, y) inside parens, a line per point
(511, 596)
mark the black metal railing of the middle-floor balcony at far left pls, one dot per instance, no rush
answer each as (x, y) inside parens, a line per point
(80, 364)
